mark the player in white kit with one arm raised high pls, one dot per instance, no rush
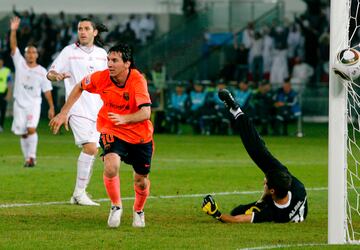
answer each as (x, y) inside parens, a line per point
(30, 80)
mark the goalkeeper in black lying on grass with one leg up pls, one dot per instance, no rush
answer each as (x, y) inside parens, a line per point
(284, 198)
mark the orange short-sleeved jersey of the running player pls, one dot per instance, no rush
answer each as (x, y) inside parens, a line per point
(122, 100)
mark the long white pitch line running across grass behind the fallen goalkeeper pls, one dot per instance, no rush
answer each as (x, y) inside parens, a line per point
(150, 197)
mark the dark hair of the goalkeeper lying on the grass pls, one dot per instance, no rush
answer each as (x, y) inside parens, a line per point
(280, 181)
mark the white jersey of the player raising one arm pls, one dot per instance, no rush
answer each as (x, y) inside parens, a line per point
(29, 82)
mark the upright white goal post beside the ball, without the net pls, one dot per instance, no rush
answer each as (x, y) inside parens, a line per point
(337, 144)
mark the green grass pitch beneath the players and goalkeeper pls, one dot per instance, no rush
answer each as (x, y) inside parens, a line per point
(182, 166)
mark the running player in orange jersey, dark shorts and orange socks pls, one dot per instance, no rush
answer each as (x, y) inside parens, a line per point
(124, 124)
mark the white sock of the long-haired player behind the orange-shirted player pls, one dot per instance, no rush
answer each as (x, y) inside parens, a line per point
(84, 167)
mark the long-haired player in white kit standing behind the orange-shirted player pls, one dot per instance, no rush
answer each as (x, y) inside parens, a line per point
(72, 64)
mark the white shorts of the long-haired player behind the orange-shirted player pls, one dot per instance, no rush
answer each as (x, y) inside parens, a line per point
(84, 130)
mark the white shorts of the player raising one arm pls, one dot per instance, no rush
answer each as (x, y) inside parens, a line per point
(25, 118)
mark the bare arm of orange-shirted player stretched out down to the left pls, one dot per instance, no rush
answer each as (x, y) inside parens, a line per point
(62, 117)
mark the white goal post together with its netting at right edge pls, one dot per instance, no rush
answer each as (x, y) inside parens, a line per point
(344, 125)
